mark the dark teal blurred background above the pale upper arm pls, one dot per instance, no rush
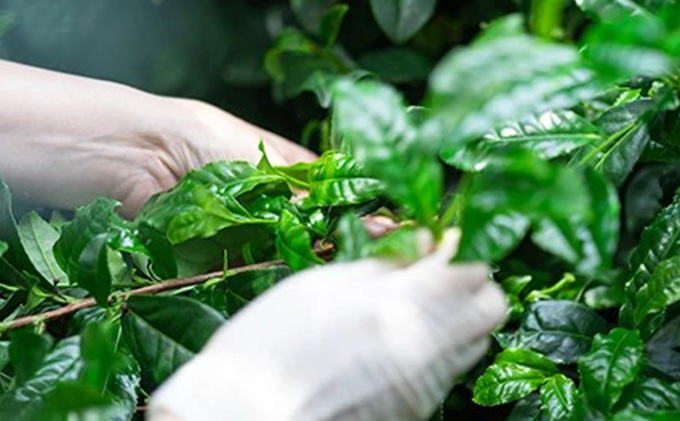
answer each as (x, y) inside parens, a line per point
(214, 50)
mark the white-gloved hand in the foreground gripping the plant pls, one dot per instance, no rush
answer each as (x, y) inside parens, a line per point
(370, 340)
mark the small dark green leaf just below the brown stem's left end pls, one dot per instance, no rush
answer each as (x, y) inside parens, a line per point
(27, 350)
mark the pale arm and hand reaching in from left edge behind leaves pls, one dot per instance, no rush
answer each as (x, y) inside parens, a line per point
(65, 140)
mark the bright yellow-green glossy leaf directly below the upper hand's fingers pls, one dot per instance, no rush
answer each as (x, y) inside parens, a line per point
(211, 199)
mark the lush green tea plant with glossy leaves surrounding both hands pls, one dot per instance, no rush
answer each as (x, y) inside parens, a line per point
(552, 147)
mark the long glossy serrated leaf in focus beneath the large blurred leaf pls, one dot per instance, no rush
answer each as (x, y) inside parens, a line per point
(548, 135)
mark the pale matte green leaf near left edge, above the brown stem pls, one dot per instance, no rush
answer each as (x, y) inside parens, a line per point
(38, 238)
